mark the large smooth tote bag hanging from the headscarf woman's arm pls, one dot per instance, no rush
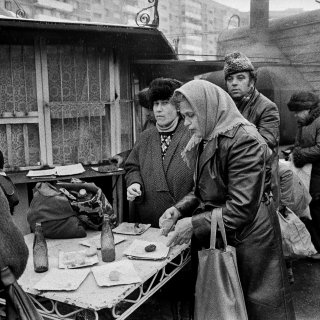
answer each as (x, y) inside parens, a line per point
(218, 292)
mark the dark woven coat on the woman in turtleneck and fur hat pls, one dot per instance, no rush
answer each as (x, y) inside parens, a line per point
(163, 182)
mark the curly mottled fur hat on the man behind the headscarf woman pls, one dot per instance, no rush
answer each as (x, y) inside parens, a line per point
(236, 62)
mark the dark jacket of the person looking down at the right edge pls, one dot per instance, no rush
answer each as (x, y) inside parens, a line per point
(307, 149)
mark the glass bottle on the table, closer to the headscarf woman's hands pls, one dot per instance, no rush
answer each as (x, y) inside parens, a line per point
(108, 251)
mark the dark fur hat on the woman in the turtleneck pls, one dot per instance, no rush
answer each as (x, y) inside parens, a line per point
(162, 89)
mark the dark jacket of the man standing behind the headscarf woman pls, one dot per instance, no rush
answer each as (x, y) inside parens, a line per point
(264, 114)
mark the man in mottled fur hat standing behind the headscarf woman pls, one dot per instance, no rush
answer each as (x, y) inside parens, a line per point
(240, 77)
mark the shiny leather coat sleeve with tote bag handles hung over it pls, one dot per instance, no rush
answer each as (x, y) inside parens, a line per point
(245, 172)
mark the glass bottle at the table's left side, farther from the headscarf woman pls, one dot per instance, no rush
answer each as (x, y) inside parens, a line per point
(40, 250)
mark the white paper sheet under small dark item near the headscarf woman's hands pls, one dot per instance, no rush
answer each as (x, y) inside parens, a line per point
(137, 250)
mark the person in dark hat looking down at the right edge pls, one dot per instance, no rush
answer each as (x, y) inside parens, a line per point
(306, 108)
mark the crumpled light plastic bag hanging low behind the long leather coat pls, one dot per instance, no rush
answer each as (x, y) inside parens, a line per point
(296, 239)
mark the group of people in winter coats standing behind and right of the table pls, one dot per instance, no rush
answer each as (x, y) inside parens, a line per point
(227, 160)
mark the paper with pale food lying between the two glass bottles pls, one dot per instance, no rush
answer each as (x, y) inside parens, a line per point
(78, 259)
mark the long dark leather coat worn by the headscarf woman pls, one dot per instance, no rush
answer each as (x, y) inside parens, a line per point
(234, 180)
